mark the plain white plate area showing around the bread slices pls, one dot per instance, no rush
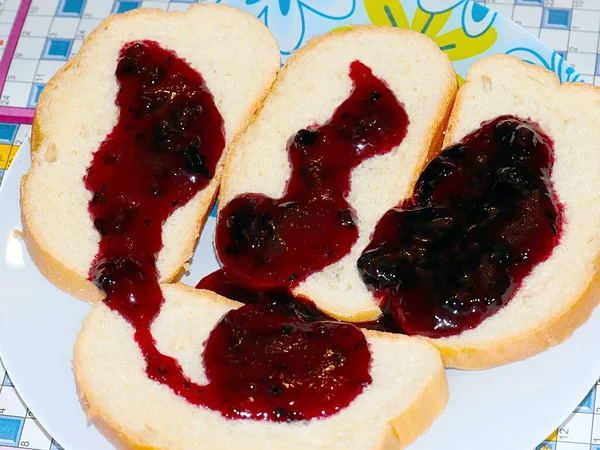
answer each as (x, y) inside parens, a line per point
(512, 407)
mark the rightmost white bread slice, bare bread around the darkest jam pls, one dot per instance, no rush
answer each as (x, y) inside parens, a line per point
(561, 292)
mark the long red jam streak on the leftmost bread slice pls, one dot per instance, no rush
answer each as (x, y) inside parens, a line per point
(163, 150)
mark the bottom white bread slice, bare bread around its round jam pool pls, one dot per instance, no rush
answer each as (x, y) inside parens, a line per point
(408, 390)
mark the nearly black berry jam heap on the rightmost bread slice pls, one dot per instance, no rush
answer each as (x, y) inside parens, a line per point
(483, 214)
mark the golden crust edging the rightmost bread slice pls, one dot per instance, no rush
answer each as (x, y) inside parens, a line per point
(549, 332)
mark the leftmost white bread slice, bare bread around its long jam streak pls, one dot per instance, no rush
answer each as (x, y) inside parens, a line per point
(238, 59)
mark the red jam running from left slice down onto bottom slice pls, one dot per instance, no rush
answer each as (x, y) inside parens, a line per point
(265, 361)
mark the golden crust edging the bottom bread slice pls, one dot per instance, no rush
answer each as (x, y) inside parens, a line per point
(403, 429)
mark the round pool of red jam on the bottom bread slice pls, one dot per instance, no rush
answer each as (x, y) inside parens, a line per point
(282, 367)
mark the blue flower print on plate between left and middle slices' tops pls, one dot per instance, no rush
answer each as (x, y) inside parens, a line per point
(287, 19)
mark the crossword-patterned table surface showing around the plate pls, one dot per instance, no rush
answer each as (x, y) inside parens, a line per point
(38, 36)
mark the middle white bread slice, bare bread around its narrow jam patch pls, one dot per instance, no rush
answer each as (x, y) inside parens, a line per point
(312, 85)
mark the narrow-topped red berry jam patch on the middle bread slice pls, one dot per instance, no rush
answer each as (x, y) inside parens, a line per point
(267, 243)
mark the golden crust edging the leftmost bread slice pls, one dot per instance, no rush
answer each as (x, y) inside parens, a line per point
(70, 279)
